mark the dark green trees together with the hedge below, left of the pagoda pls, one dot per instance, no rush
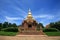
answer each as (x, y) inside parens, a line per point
(8, 27)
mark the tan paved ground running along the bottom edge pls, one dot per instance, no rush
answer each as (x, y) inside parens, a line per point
(30, 37)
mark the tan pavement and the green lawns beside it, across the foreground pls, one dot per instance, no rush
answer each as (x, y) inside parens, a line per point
(11, 36)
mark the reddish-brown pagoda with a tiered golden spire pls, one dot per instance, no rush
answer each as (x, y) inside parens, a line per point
(29, 25)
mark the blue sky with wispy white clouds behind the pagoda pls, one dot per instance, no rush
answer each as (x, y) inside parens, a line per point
(43, 11)
